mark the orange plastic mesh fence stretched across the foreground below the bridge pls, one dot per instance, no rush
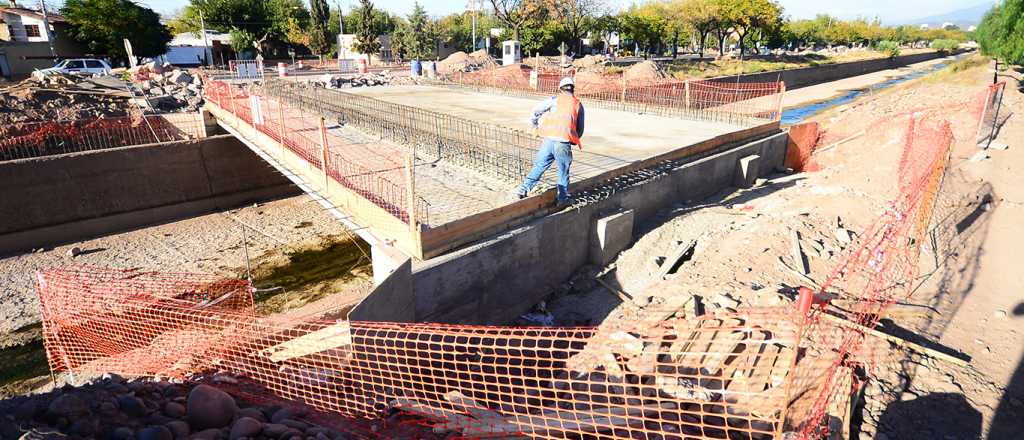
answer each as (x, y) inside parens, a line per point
(720, 377)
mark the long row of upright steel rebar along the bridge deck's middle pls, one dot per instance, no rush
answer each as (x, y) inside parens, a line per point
(496, 152)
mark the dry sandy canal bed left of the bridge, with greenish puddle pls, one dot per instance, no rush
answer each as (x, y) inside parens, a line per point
(279, 235)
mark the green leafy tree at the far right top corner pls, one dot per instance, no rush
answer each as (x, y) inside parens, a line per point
(1002, 32)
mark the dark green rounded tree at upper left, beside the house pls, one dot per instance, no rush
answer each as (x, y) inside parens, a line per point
(102, 26)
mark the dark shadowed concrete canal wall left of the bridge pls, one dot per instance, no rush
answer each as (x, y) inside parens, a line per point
(61, 199)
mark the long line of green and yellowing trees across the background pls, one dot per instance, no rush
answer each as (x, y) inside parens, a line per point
(653, 27)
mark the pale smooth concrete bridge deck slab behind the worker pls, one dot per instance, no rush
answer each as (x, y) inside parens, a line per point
(612, 139)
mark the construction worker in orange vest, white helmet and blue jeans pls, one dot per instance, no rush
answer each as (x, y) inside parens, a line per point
(562, 128)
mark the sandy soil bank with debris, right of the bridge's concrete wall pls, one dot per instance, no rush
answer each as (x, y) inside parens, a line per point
(969, 303)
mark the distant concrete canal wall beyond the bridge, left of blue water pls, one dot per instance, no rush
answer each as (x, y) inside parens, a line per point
(797, 78)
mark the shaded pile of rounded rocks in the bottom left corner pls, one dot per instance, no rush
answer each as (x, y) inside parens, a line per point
(119, 410)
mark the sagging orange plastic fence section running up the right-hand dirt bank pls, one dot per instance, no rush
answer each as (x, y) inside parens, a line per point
(875, 274)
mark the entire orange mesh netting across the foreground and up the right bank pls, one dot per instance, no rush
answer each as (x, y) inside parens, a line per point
(755, 374)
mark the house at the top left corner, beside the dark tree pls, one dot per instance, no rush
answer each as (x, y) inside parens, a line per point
(26, 43)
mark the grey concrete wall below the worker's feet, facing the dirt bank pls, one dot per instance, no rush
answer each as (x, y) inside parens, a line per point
(499, 280)
